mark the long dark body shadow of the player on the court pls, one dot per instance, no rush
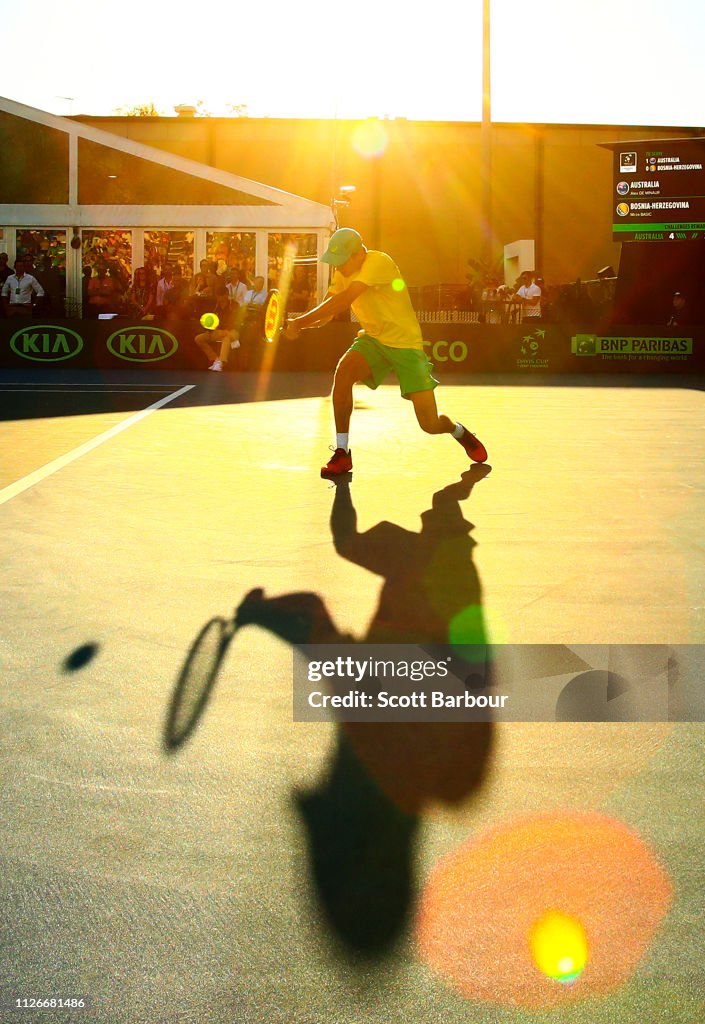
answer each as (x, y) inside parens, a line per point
(362, 820)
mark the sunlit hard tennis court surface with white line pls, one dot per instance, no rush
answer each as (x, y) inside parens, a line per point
(260, 870)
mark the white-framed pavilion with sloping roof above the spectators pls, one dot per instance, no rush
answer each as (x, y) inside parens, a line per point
(65, 180)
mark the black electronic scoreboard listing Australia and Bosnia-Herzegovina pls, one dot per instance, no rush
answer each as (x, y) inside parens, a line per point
(659, 191)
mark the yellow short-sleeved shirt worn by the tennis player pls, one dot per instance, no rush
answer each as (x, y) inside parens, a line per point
(386, 313)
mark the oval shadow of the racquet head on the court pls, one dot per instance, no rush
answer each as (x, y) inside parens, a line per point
(196, 681)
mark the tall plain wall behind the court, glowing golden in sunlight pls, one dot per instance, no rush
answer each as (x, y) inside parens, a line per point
(421, 200)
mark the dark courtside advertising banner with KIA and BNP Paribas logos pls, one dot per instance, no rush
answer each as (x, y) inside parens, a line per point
(525, 350)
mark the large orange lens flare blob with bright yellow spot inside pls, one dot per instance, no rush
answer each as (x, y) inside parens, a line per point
(544, 912)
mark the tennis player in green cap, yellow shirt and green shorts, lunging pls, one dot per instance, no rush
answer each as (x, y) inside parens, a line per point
(391, 340)
